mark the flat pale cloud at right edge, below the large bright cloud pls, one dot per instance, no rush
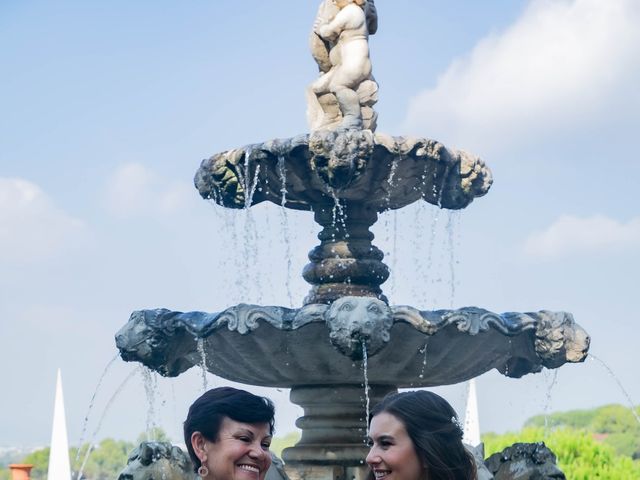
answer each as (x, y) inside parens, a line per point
(571, 235)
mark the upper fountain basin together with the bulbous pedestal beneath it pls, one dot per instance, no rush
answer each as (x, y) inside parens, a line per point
(346, 178)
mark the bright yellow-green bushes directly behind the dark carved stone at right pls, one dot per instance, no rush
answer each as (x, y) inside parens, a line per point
(580, 456)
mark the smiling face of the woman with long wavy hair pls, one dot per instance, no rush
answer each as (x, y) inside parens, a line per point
(392, 455)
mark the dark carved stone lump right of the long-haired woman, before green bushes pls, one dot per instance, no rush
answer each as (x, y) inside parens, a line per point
(525, 461)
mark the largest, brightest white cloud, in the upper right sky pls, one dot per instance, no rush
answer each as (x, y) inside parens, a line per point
(562, 64)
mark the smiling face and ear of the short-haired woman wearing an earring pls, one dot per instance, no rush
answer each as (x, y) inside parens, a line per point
(241, 451)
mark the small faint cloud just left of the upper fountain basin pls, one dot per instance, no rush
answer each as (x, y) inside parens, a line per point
(134, 190)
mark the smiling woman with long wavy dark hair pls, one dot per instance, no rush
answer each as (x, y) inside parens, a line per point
(416, 436)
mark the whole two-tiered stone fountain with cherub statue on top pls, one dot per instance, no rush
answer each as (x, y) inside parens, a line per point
(346, 174)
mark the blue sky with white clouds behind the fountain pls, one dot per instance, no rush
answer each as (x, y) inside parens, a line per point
(108, 108)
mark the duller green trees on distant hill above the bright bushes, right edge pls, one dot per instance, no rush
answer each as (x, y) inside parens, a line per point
(617, 424)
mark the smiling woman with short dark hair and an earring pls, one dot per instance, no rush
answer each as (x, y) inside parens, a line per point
(228, 433)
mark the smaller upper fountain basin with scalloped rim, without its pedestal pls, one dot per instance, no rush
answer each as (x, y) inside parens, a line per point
(356, 166)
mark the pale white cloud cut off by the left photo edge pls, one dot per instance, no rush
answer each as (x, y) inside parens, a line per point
(32, 228)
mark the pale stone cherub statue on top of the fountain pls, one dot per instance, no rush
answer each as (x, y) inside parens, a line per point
(345, 91)
